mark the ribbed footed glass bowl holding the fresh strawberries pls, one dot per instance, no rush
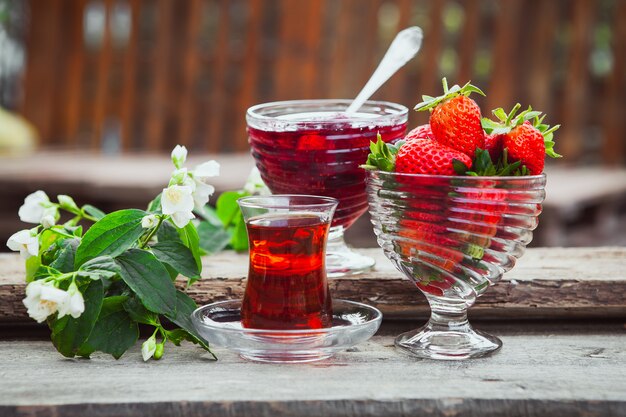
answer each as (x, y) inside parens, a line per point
(453, 237)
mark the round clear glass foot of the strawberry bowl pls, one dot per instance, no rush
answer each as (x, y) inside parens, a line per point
(466, 343)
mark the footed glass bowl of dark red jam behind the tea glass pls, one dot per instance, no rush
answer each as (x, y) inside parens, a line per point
(313, 147)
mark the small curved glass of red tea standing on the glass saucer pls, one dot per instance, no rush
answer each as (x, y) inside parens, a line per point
(287, 287)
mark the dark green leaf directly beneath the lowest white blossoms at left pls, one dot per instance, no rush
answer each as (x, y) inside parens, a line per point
(68, 333)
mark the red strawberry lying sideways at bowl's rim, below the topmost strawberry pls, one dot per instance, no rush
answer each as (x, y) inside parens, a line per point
(424, 156)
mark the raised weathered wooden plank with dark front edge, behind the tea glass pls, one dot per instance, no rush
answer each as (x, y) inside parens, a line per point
(564, 283)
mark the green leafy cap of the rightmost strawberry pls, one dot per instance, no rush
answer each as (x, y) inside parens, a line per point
(508, 121)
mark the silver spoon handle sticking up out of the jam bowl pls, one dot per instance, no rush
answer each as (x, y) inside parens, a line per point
(404, 47)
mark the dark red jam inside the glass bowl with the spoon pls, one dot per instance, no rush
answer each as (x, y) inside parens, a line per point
(320, 153)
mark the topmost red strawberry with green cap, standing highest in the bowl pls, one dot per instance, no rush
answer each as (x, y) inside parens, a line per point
(455, 118)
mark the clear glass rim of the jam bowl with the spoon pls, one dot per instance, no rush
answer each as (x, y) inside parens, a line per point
(253, 111)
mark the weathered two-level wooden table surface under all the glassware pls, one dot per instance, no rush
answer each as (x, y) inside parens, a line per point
(560, 314)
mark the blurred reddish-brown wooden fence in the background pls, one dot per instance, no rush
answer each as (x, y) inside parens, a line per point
(145, 75)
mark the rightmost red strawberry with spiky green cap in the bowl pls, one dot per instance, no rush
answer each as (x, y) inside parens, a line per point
(526, 143)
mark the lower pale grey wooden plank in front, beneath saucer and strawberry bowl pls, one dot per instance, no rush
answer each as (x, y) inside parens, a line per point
(552, 372)
